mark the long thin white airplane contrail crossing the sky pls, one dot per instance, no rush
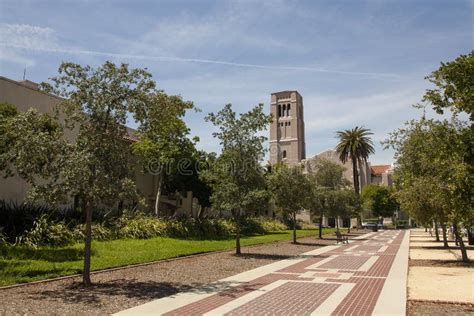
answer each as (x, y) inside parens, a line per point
(194, 60)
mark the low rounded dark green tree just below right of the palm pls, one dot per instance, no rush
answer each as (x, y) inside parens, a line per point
(380, 200)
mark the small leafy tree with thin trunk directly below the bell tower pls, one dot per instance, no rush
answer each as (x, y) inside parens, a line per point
(289, 188)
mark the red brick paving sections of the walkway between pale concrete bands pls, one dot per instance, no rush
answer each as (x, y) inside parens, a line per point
(301, 296)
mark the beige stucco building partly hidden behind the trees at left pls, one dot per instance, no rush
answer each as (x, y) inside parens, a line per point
(26, 95)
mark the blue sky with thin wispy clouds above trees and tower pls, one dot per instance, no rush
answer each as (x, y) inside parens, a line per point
(356, 63)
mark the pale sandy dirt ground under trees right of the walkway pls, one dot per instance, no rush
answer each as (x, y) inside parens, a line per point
(438, 282)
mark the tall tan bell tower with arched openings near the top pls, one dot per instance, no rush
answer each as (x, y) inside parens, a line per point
(287, 141)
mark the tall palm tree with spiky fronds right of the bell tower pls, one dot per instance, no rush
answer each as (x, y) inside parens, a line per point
(356, 145)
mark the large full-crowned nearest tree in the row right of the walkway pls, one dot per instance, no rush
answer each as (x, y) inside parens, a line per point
(434, 172)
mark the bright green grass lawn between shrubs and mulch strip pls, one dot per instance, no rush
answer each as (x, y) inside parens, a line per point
(22, 264)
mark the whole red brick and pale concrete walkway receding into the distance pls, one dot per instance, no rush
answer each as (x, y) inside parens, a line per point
(366, 276)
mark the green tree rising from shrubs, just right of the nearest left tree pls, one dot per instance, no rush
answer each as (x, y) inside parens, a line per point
(163, 136)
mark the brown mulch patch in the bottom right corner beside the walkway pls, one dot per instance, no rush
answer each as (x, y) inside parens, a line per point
(418, 308)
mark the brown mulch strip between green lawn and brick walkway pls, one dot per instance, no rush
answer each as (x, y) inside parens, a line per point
(117, 290)
